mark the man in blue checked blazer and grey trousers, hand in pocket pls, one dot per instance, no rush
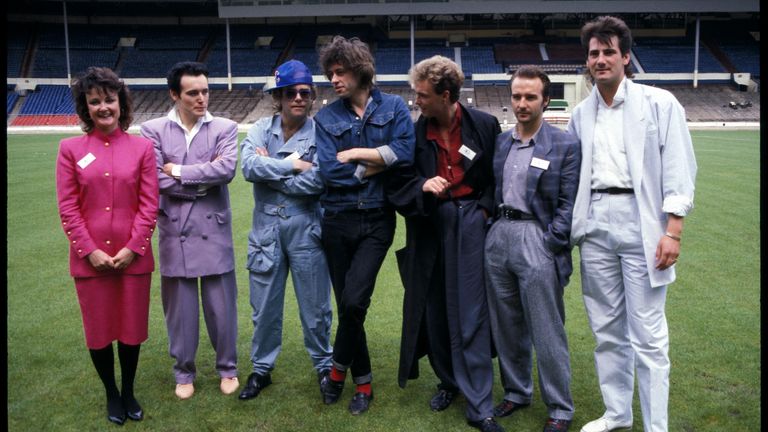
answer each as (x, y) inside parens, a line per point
(528, 255)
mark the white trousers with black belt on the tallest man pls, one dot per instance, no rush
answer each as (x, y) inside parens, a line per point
(625, 313)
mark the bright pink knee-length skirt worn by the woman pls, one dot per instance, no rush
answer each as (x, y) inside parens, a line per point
(114, 307)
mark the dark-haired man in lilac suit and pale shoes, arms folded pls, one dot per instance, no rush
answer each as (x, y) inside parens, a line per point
(196, 158)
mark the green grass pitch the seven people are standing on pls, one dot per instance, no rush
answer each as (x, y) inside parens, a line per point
(713, 311)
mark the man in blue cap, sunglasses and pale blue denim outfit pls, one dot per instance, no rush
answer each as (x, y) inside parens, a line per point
(279, 158)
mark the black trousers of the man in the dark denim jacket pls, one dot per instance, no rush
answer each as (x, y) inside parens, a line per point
(355, 243)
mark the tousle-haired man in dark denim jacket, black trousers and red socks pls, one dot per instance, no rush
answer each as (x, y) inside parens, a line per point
(359, 138)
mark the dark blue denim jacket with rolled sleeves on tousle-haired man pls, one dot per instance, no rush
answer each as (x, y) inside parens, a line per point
(385, 126)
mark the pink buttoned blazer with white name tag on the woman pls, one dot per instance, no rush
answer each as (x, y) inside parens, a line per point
(107, 193)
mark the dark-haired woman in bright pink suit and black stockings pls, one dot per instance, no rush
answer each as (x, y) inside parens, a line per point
(107, 191)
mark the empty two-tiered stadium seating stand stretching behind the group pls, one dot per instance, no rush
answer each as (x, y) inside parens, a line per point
(37, 50)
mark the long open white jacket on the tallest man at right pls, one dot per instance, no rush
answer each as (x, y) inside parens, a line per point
(661, 164)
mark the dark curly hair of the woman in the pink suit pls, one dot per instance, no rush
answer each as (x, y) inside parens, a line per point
(104, 79)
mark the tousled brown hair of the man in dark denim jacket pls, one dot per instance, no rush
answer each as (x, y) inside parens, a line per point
(353, 54)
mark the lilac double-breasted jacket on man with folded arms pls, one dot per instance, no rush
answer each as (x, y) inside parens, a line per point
(195, 226)
